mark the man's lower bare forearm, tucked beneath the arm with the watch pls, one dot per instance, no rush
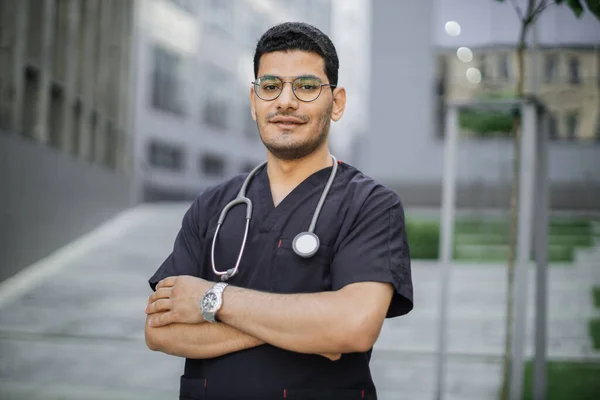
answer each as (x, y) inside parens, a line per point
(205, 340)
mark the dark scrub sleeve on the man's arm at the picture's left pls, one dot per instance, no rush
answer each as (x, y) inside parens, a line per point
(187, 249)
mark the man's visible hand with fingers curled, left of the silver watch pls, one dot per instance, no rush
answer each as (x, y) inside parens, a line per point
(177, 300)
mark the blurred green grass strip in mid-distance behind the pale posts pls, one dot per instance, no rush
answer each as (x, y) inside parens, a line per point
(487, 239)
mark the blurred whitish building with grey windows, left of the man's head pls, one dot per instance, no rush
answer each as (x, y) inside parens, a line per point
(194, 74)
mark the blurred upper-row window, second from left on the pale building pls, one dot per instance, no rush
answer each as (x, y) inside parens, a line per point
(217, 91)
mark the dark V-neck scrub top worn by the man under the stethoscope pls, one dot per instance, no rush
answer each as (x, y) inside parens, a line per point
(362, 234)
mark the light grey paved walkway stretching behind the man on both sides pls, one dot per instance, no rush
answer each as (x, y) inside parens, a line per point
(71, 326)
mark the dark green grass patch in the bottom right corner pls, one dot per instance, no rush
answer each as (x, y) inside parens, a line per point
(567, 381)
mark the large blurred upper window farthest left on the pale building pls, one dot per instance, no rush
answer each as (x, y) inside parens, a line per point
(167, 82)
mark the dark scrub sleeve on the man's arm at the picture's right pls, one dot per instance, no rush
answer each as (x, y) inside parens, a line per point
(376, 249)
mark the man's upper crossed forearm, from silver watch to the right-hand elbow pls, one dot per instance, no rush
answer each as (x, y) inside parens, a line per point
(307, 323)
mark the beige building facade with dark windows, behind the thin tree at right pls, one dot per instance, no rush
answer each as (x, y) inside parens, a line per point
(569, 83)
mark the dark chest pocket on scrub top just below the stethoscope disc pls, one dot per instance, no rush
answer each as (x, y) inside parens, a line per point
(295, 274)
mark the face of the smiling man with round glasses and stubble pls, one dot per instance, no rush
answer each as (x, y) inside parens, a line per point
(290, 128)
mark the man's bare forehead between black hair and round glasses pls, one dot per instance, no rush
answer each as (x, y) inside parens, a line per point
(292, 63)
